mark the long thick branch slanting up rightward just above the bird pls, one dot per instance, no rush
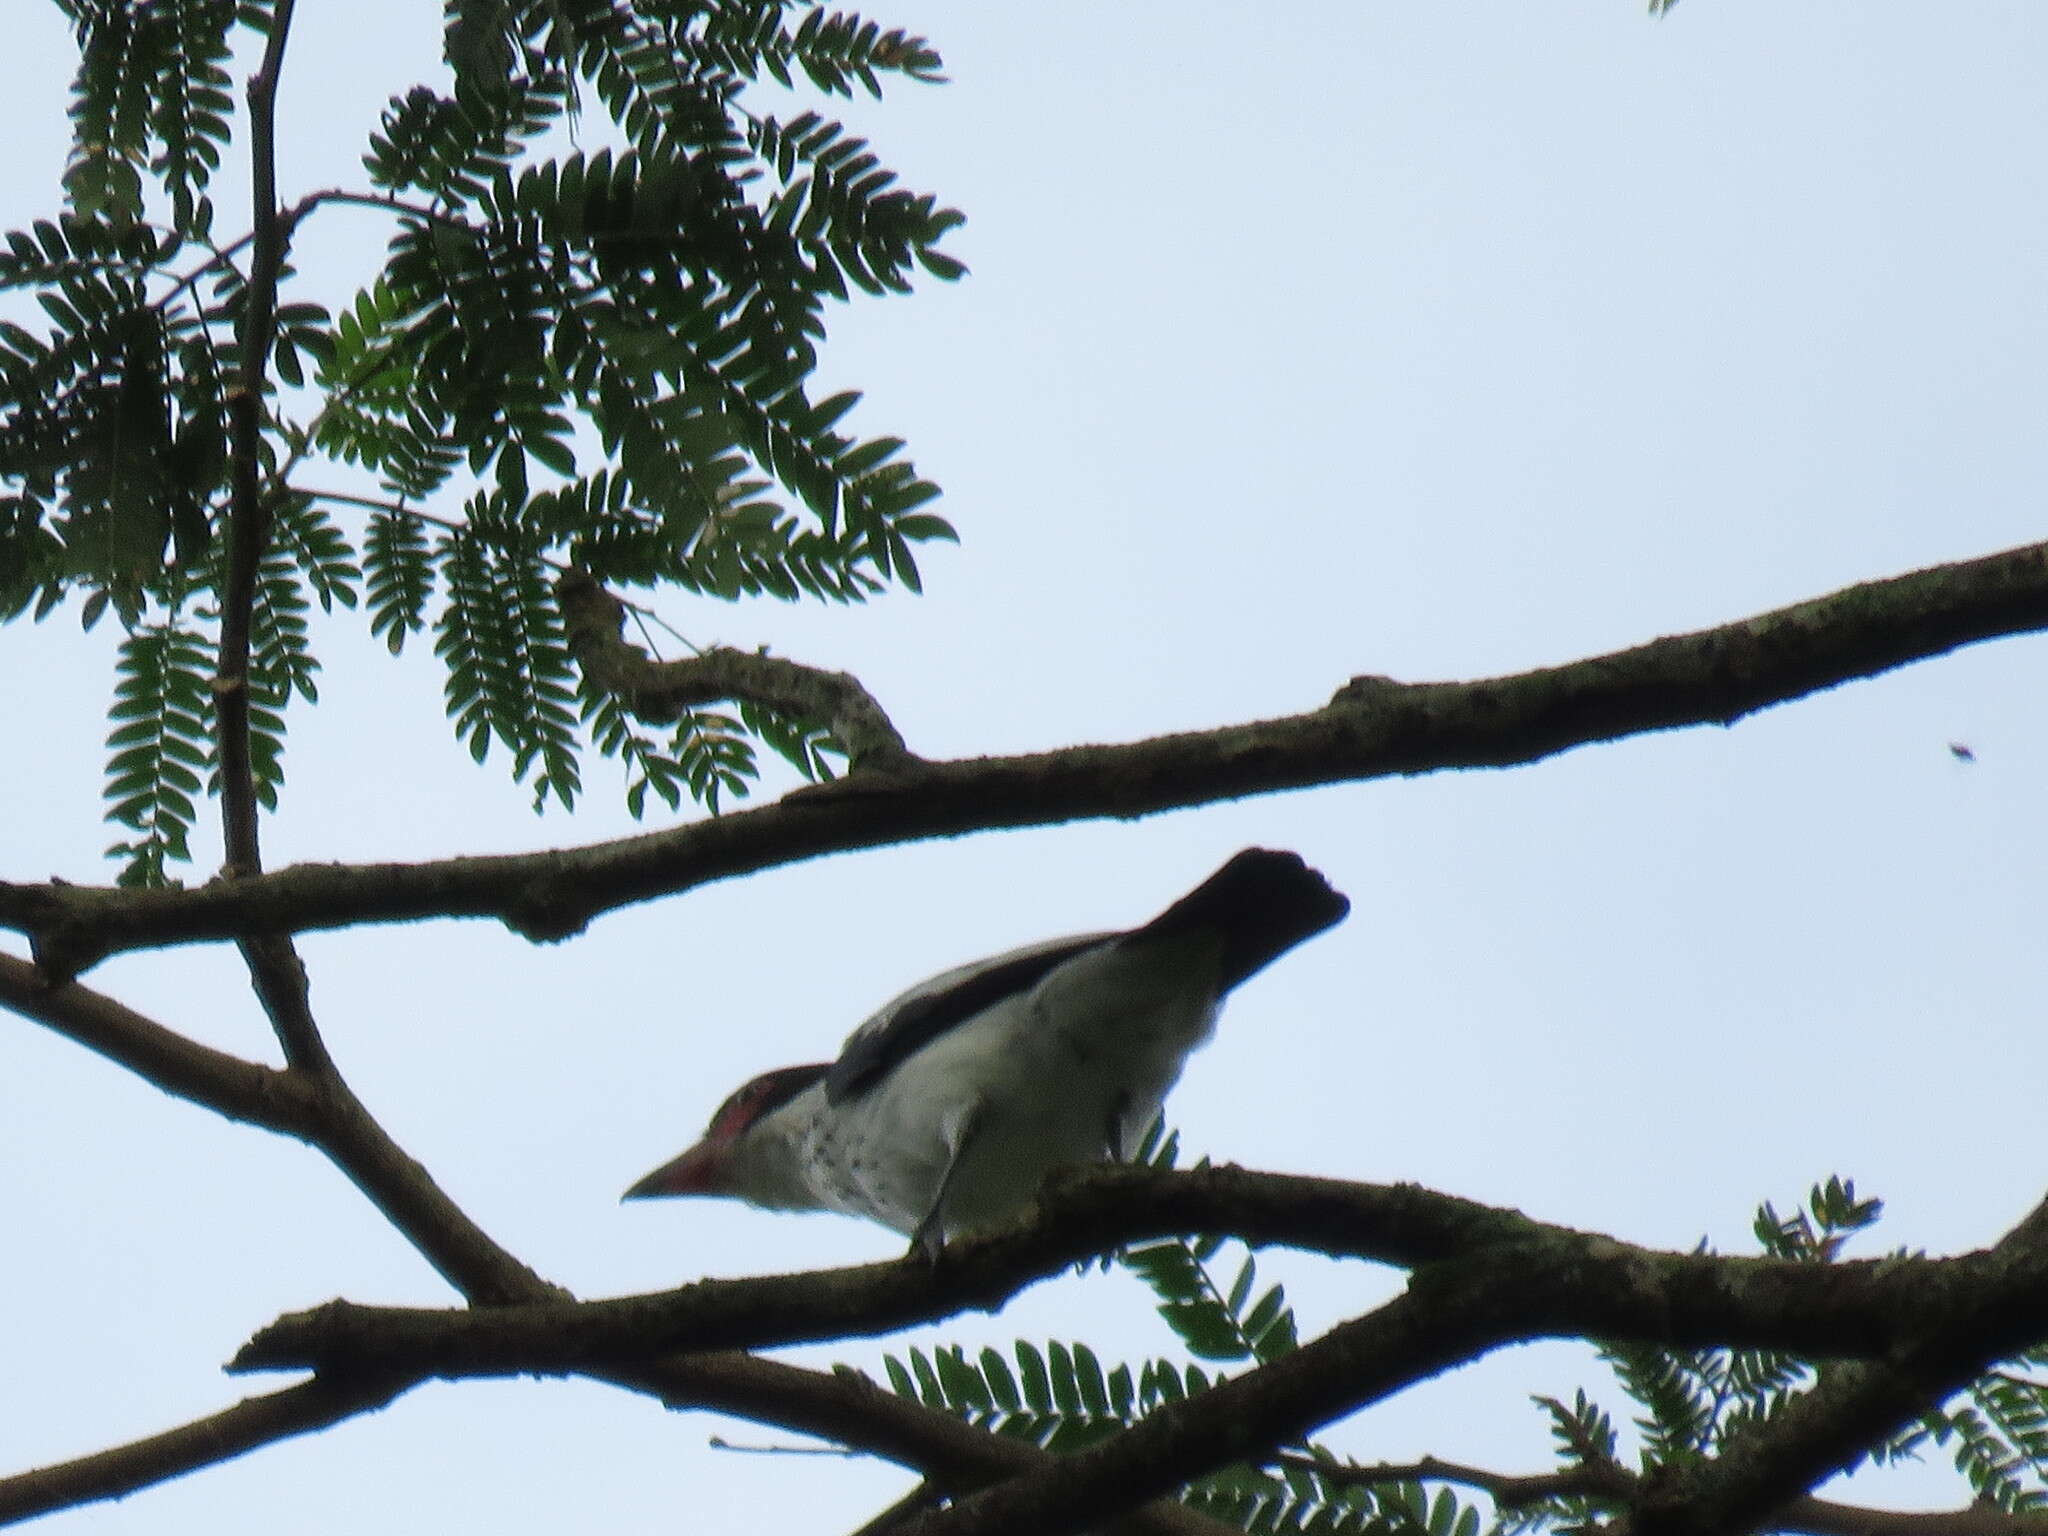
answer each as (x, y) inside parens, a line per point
(1373, 728)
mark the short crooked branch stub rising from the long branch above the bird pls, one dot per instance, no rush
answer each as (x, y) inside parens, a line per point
(660, 691)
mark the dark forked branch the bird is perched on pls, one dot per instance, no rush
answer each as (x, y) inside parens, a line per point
(1932, 1324)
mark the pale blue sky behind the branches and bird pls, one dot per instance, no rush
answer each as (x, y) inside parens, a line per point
(1428, 341)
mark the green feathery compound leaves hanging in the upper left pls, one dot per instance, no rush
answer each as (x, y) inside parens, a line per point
(599, 355)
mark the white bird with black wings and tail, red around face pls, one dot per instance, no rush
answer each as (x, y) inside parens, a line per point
(947, 1111)
